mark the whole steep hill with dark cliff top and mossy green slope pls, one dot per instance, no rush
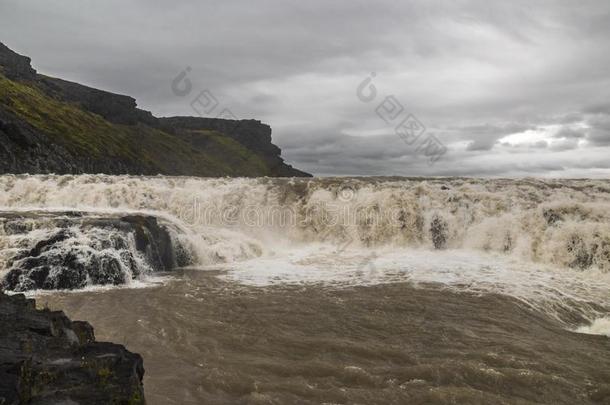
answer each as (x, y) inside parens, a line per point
(50, 125)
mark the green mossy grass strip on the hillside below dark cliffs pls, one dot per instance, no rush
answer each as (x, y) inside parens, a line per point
(85, 134)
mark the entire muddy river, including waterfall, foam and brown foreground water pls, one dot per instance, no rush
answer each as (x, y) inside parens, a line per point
(332, 291)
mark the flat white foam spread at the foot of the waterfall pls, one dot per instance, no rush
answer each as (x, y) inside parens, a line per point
(547, 288)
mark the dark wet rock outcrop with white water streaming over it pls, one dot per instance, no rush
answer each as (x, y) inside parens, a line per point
(99, 254)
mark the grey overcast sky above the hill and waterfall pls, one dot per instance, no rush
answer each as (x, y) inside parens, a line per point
(510, 88)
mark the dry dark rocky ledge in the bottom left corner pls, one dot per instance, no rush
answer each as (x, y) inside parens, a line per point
(45, 358)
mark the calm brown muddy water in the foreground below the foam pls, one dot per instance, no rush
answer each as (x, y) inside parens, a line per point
(206, 340)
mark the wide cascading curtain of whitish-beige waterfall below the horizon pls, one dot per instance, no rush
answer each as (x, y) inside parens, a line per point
(530, 219)
